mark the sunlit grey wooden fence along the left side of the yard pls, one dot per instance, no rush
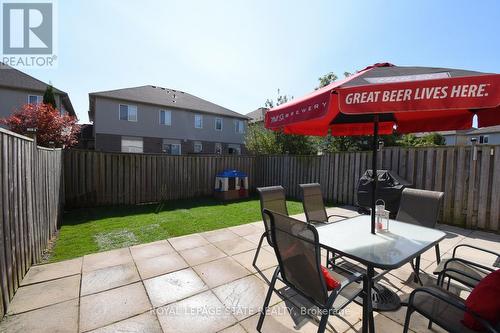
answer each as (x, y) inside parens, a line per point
(30, 197)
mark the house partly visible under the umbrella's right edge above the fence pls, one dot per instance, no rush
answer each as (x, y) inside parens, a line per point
(486, 135)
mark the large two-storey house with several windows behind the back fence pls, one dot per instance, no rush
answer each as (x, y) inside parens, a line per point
(153, 119)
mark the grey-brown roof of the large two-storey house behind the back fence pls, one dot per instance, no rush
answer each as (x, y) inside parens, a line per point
(164, 97)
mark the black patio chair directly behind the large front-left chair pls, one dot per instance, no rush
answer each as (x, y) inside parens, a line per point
(272, 198)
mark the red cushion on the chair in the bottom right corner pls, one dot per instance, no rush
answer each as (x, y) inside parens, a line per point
(484, 300)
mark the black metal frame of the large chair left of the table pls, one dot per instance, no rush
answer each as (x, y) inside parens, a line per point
(325, 309)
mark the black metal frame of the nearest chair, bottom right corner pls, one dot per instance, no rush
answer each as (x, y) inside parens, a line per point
(459, 305)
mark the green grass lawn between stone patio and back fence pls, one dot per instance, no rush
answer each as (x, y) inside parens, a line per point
(98, 229)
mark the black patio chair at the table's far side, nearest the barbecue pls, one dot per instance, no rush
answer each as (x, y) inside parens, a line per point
(314, 207)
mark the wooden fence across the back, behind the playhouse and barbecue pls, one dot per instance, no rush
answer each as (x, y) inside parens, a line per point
(469, 179)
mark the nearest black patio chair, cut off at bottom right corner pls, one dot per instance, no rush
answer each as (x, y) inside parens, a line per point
(443, 308)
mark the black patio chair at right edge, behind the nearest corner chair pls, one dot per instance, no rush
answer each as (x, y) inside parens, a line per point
(460, 269)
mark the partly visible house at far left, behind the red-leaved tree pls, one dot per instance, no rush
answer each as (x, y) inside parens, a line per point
(18, 88)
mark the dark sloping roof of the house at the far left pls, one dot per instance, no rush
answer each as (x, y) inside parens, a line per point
(15, 79)
